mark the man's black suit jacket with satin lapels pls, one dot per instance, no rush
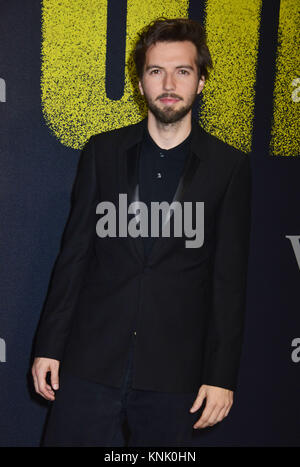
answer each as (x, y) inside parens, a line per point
(188, 303)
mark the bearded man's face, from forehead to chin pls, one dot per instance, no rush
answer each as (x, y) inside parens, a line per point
(170, 83)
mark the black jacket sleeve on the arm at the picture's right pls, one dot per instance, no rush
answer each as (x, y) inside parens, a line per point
(229, 279)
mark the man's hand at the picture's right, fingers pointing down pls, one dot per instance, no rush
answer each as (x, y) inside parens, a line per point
(218, 404)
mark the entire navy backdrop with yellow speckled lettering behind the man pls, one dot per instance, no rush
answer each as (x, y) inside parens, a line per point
(66, 72)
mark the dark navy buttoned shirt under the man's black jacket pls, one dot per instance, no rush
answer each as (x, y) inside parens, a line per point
(159, 174)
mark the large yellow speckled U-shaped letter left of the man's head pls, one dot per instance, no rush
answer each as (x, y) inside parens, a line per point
(74, 101)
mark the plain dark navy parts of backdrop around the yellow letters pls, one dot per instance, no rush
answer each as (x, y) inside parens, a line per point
(37, 173)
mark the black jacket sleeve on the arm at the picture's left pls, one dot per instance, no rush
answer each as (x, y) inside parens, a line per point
(71, 263)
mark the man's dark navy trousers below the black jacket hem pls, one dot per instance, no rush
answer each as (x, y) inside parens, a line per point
(85, 413)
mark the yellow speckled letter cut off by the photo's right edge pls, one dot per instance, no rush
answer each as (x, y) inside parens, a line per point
(285, 133)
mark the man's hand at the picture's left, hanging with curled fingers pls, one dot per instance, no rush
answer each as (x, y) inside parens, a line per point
(39, 370)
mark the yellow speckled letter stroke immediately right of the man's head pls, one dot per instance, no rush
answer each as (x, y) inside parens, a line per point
(228, 98)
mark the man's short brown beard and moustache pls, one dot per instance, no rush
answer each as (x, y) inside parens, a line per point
(168, 114)
